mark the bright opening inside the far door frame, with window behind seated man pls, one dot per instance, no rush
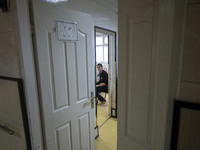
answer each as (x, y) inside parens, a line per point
(102, 57)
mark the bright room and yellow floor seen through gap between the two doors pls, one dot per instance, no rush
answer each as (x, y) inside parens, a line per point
(106, 116)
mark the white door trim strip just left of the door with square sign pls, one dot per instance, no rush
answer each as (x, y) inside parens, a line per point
(29, 74)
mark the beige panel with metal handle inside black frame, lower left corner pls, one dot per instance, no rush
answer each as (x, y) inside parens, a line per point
(12, 133)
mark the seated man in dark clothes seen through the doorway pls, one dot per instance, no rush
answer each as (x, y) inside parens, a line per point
(102, 84)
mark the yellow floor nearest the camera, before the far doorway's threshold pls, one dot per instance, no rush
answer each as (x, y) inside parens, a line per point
(107, 139)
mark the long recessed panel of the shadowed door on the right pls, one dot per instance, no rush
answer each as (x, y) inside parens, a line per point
(138, 101)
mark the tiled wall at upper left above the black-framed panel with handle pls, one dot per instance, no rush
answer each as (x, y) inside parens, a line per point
(9, 53)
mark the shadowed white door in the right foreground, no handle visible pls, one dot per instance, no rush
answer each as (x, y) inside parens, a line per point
(145, 90)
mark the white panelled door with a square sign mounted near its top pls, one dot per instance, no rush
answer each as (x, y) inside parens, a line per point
(66, 77)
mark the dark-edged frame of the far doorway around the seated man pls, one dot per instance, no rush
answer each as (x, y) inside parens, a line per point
(113, 111)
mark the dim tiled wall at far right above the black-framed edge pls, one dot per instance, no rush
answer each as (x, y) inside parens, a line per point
(190, 77)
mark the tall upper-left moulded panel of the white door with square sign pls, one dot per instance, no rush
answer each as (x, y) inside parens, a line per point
(58, 69)
